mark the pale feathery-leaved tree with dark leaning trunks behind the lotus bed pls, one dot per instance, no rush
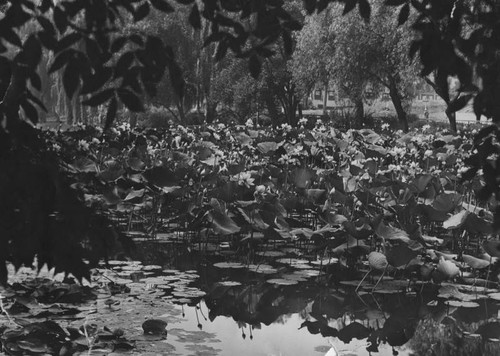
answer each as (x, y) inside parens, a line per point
(353, 53)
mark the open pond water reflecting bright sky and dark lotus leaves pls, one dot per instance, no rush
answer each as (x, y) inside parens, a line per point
(282, 310)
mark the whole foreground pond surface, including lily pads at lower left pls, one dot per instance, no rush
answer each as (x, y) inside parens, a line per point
(267, 303)
